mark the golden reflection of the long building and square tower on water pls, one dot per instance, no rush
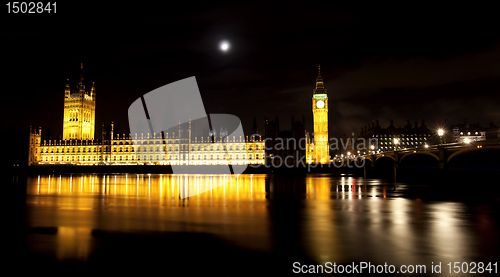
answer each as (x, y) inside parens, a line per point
(77, 204)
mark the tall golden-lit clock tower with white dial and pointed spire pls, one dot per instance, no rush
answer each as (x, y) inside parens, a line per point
(319, 151)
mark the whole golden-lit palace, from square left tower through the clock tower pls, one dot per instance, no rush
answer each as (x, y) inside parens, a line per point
(79, 146)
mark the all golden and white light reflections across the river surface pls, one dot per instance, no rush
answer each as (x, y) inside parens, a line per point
(325, 218)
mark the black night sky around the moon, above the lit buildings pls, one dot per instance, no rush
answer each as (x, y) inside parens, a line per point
(404, 62)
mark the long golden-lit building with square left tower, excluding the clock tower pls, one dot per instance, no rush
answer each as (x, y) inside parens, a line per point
(79, 147)
